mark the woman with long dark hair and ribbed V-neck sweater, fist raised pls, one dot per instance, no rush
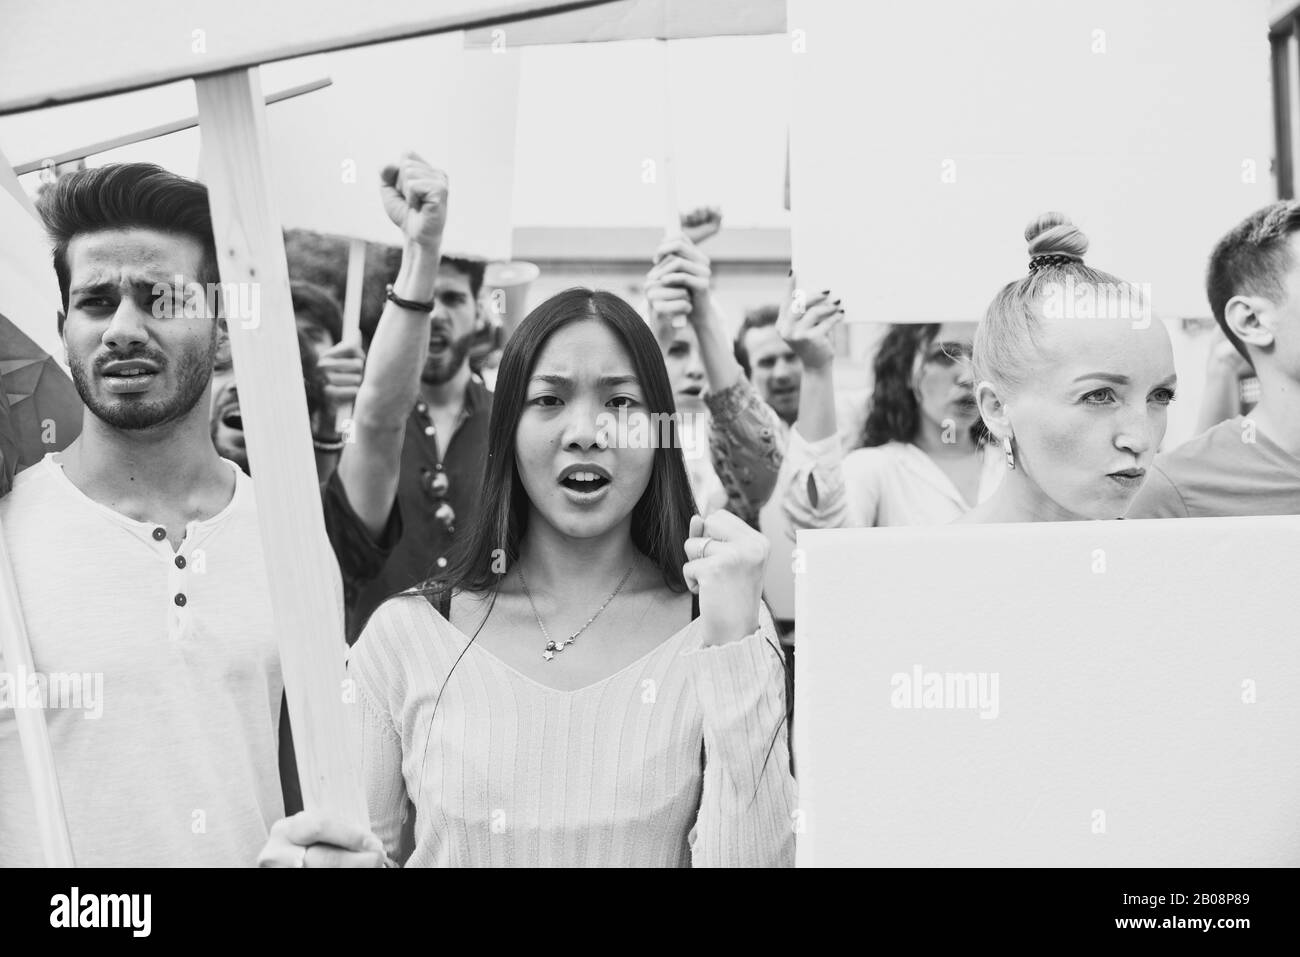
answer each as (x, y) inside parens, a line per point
(596, 681)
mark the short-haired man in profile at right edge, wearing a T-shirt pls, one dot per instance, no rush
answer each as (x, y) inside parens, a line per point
(1247, 465)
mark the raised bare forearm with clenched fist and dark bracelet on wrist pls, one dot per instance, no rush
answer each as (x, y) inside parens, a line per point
(415, 197)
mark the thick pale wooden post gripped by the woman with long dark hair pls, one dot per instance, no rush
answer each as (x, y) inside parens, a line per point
(300, 564)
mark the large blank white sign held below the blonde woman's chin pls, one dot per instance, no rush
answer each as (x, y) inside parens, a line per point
(1111, 695)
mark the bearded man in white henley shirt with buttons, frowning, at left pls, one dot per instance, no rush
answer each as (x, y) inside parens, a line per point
(137, 551)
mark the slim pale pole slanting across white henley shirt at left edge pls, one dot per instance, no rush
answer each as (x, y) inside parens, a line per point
(31, 718)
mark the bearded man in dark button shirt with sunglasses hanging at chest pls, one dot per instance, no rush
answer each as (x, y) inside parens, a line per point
(445, 447)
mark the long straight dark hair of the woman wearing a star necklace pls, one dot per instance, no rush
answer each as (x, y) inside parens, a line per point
(661, 519)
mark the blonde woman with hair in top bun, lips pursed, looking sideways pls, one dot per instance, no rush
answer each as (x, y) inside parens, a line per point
(1074, 382)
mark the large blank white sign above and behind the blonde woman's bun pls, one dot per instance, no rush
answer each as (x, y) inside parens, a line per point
(926, 136)
